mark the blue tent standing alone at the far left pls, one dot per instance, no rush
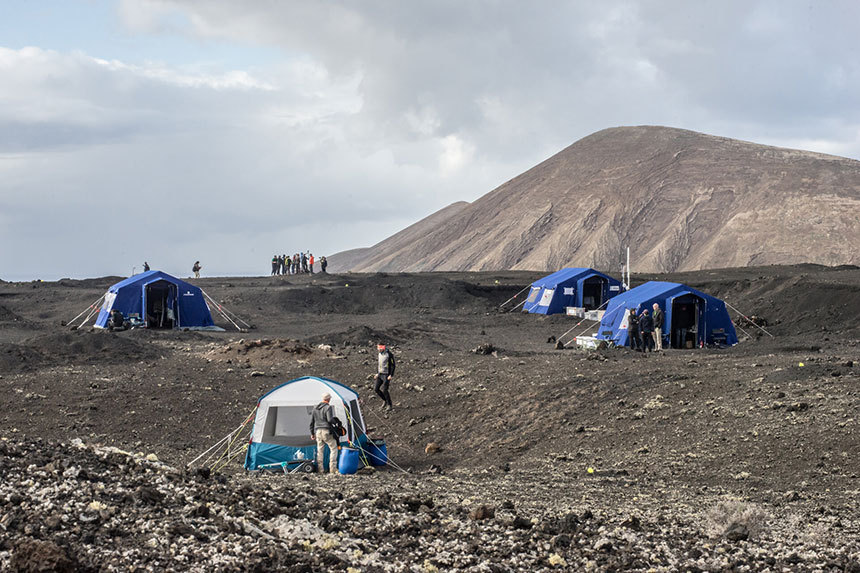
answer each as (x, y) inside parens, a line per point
(158, 300)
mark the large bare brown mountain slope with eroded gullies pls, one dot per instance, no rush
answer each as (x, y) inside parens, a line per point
(680, 200)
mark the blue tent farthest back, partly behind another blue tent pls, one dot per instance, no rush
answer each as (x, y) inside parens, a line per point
(580, 287)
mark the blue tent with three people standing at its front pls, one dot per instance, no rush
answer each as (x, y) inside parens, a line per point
(689, 315)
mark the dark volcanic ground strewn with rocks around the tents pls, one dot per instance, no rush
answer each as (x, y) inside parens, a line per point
(700, 460)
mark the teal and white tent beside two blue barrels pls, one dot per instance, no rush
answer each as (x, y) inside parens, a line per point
(281, 430)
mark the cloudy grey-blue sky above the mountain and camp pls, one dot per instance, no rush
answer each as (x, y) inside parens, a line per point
(226, 131)
